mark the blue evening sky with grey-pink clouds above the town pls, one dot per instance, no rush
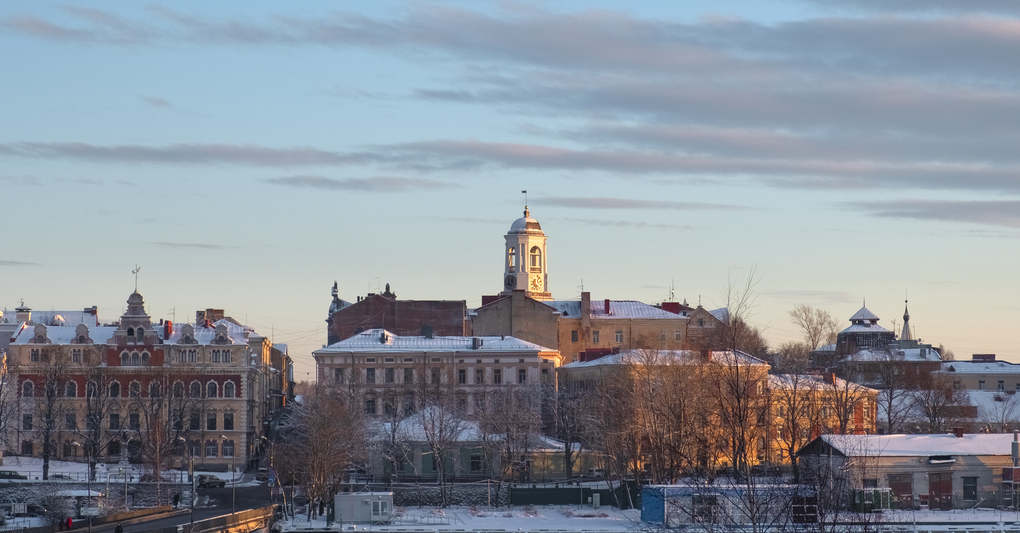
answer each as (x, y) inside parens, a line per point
(246, 155)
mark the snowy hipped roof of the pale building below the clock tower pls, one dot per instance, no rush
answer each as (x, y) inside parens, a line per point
(383, 341)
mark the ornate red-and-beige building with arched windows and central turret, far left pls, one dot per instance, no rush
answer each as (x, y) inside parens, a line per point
(207, 385)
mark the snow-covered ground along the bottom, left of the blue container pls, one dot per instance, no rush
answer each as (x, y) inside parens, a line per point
(522, 518)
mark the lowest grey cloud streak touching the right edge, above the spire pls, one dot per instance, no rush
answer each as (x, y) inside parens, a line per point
(1004, 214)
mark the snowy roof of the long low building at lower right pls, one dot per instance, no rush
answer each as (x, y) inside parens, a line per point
(911, 446)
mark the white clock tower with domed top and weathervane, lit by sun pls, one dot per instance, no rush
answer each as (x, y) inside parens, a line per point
(526, 260)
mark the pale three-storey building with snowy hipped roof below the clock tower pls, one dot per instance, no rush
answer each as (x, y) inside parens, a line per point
(392, 372)
